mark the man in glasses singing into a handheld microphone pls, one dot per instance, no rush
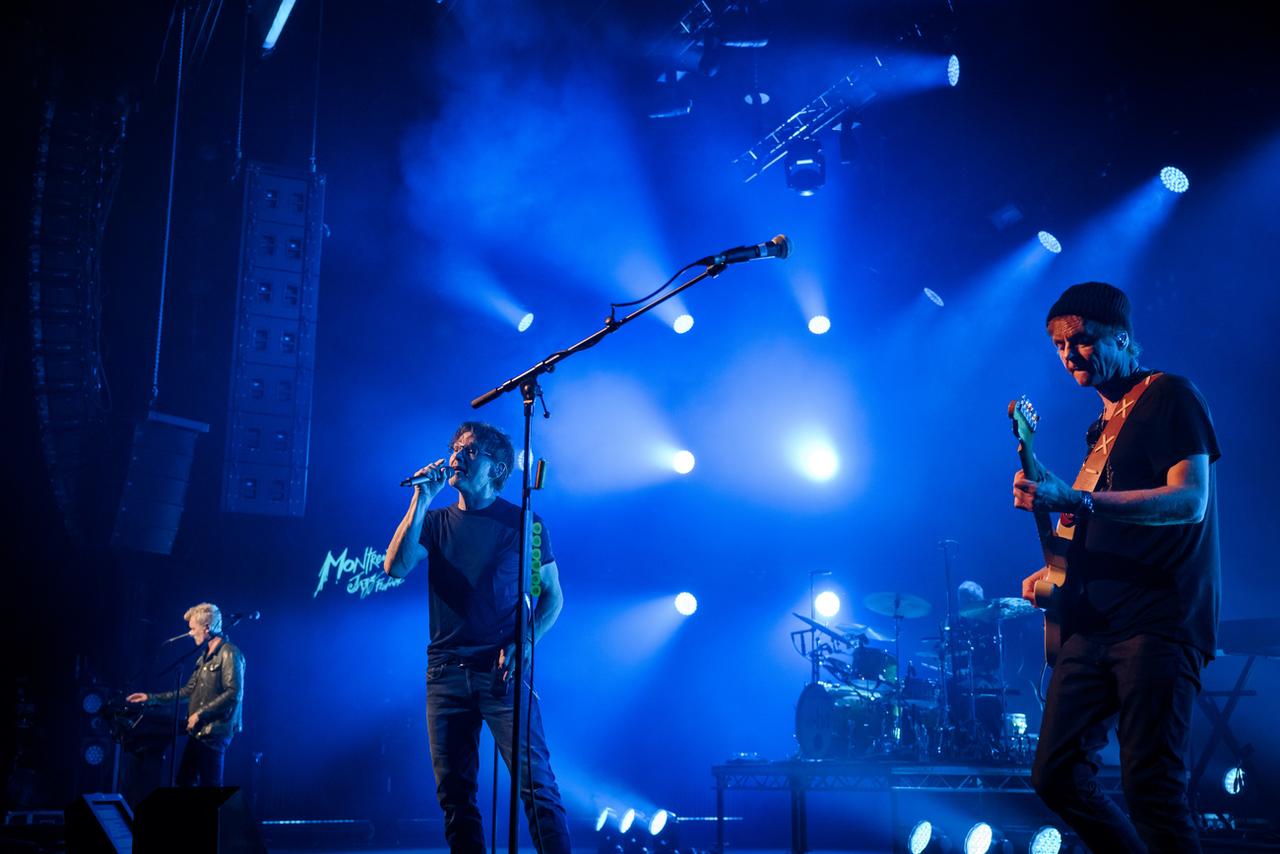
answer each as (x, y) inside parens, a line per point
(472, 549)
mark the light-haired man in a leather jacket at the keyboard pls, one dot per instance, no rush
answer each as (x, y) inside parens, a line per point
(214, 697)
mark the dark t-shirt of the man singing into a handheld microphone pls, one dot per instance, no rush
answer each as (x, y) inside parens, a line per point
(473, 573)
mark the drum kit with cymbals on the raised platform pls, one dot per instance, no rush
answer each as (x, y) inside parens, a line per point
(950, 702)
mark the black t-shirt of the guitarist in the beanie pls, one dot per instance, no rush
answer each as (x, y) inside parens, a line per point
(1128, 579)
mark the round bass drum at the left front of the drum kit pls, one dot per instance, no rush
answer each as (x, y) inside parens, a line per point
(836, 723)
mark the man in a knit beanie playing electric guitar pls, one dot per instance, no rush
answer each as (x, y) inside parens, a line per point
(1141, 600)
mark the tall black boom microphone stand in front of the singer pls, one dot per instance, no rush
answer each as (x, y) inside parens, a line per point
(529, 391)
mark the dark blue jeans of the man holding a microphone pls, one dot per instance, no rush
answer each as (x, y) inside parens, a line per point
(458, 701)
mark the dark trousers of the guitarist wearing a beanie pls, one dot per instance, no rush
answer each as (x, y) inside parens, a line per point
(1148, 687)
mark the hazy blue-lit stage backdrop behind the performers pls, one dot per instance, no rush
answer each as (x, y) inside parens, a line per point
(491, 156)
